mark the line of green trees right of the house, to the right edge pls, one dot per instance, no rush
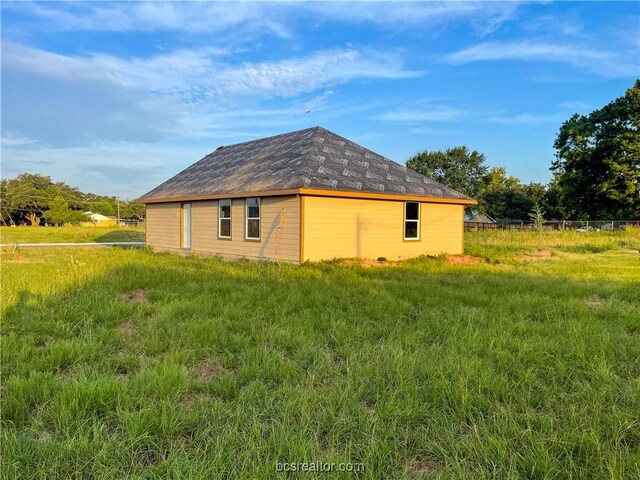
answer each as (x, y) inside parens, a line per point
(596, 171)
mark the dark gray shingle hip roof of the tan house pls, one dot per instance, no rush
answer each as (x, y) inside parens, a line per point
(313, 158)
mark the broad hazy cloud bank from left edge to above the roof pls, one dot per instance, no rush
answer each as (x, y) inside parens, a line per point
(82, 100)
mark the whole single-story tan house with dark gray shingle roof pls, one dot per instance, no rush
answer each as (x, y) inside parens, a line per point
(304, 195)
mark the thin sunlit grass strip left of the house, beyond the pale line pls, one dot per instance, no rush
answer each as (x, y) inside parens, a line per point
(70, 234)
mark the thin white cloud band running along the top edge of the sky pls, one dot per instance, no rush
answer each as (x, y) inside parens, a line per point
(261, 17)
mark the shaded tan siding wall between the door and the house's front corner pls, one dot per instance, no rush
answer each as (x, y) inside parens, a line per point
(204, 230)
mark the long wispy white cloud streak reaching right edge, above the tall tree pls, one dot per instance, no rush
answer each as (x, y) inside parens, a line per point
(602, 62)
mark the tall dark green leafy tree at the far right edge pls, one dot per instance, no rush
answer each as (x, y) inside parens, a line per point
(597, 166)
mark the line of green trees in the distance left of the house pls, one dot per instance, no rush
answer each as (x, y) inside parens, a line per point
(34, 199)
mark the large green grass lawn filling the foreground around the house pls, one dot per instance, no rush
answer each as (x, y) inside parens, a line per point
(122, 363)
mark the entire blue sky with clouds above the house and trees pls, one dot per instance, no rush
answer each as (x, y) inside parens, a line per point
(116, 97)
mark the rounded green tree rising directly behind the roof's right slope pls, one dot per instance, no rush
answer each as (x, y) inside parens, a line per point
(455, 167)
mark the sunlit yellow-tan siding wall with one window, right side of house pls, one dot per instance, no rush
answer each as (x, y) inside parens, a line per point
(346, 227)
